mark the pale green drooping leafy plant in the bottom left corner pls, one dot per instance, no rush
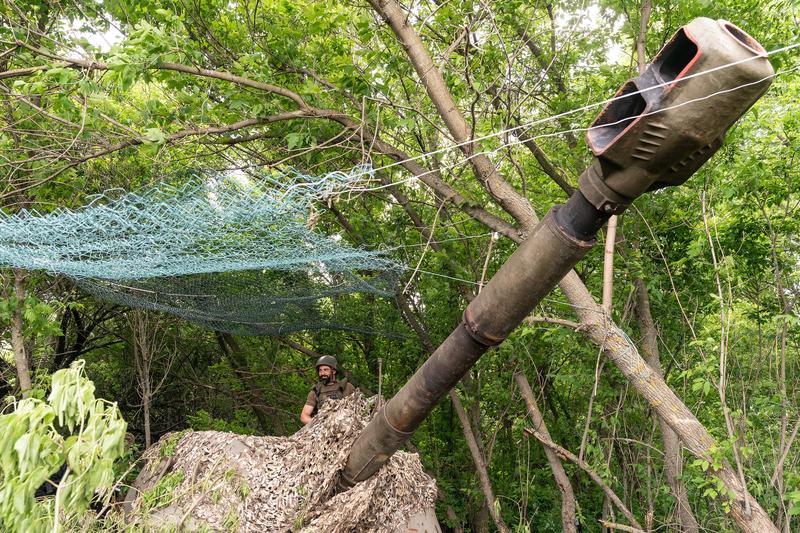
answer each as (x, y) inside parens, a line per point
(71, 428)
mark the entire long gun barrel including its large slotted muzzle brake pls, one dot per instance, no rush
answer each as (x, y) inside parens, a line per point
(660, 129)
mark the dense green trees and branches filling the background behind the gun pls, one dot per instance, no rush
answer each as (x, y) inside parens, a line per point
(129, 94)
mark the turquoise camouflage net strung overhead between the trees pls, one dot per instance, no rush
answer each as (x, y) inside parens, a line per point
(228, 252)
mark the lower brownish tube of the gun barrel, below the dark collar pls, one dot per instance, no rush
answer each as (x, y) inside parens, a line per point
(525, 278)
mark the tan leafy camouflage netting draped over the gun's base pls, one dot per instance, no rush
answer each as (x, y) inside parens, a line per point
(268, 484)
